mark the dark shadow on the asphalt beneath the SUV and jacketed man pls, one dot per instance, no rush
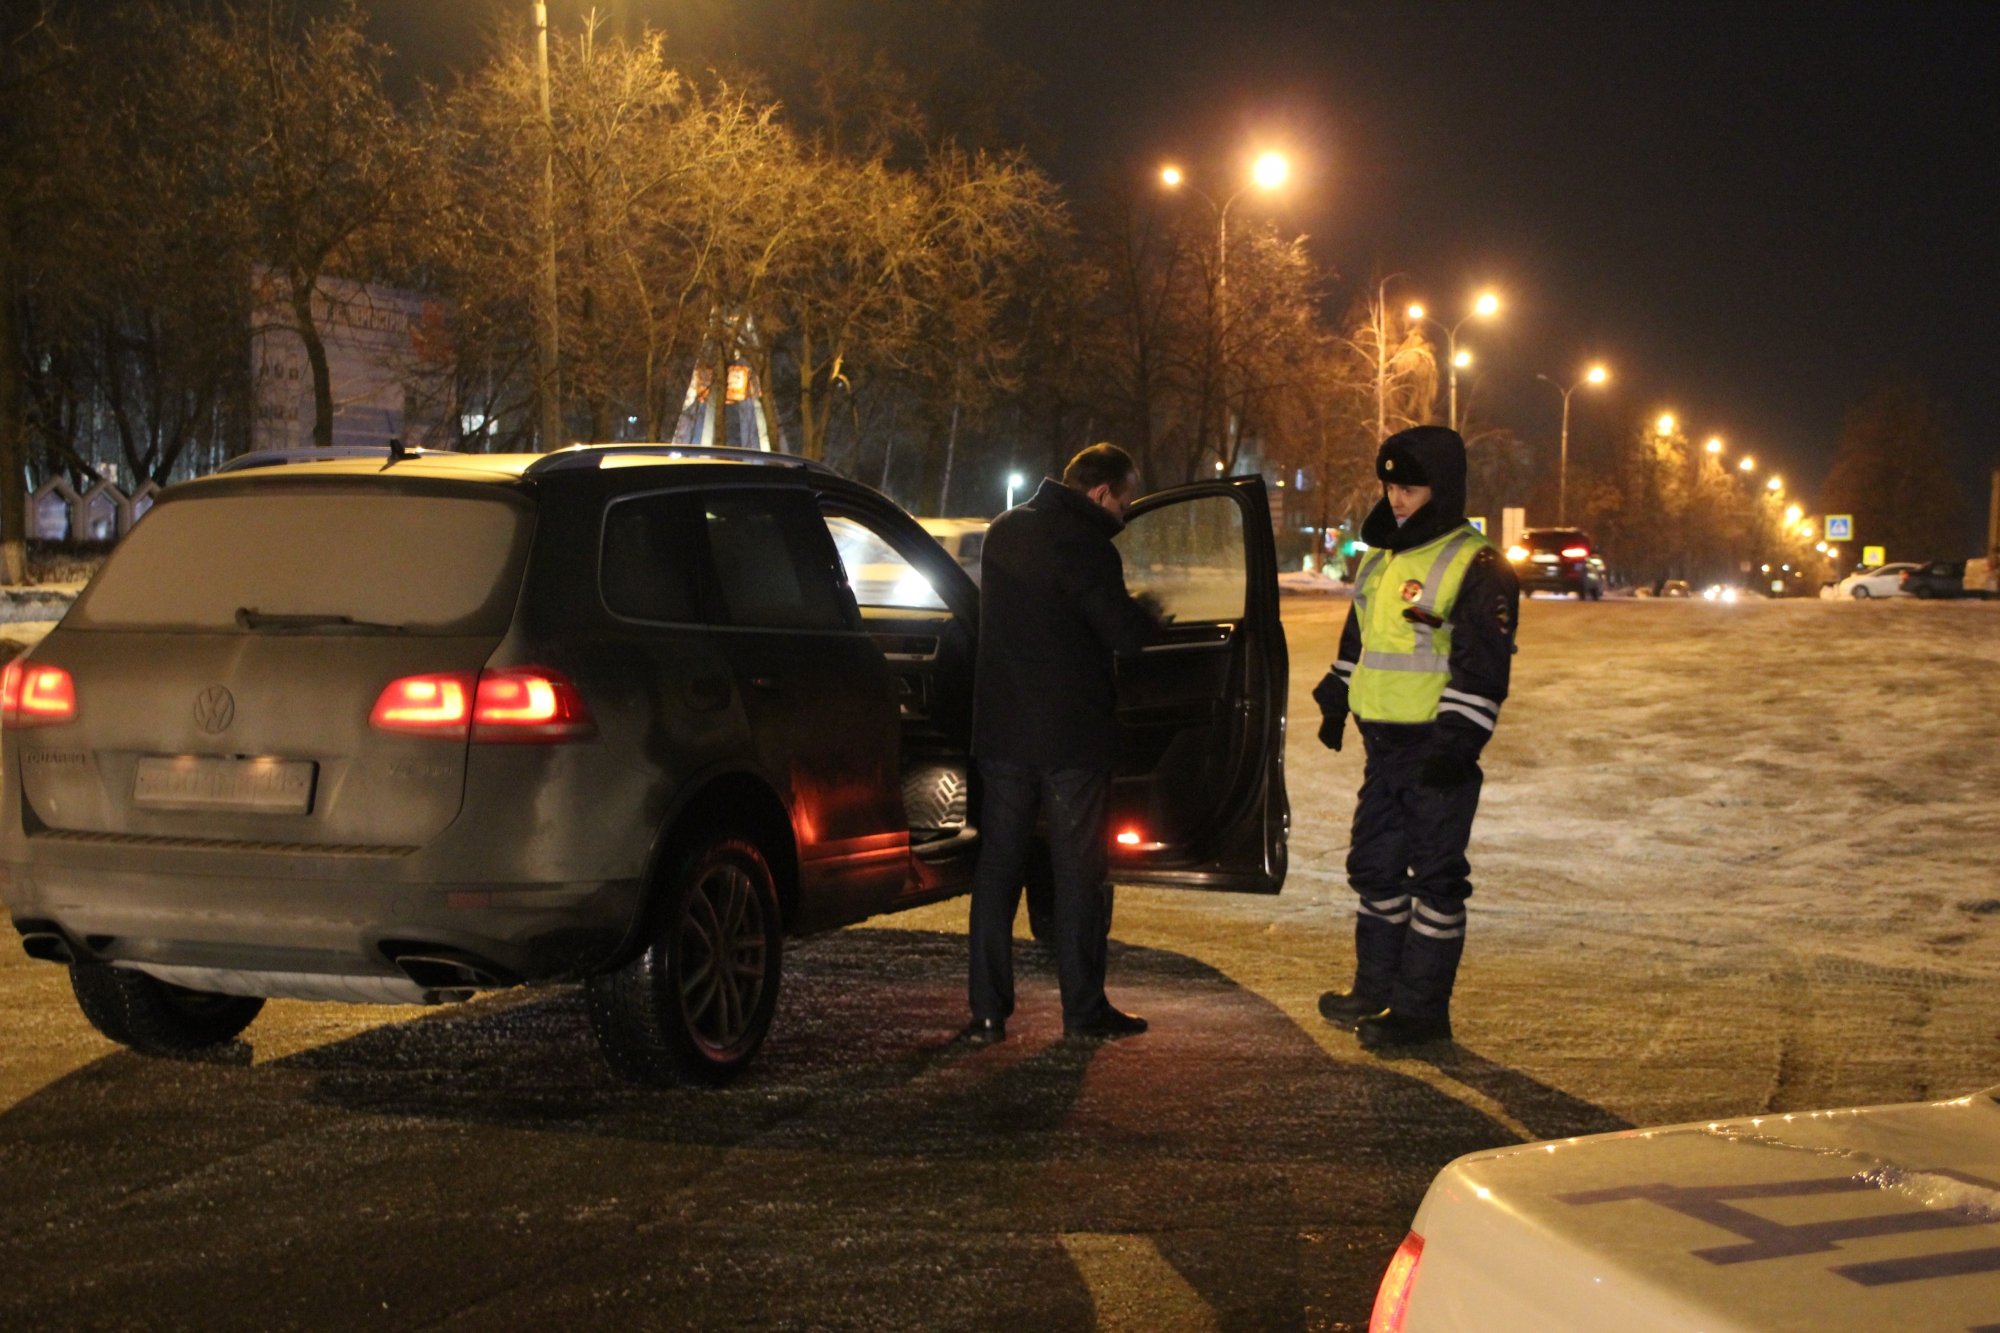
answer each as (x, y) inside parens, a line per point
(865, 1164)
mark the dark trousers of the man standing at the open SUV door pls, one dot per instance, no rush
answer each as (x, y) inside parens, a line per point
(1075, 808)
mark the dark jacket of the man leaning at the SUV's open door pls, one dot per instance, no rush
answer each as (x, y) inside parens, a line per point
(1053, 615)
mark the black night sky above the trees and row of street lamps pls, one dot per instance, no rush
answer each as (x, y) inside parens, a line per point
(1751, 213)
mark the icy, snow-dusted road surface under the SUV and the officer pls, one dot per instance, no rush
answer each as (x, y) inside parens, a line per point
(1241, 1166)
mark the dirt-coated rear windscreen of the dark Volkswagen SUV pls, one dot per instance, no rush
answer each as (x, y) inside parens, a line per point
(423, 563)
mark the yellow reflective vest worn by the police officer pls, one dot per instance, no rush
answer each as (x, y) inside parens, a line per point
(1407, 661)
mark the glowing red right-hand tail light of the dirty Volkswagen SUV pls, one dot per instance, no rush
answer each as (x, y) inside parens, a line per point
(501, 704)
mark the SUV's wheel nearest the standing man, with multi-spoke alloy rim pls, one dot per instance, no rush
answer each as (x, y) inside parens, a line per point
(695, 1006)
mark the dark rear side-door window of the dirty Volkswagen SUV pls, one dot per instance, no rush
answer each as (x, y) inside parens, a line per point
(773, 563)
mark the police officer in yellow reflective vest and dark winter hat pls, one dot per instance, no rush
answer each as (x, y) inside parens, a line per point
(1425, 670)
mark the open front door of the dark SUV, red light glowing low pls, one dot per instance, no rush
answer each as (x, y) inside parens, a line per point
(1199, 794)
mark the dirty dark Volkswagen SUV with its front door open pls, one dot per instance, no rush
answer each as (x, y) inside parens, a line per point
(411, 728)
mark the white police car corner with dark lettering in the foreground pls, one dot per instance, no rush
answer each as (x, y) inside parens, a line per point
(1883, 1218)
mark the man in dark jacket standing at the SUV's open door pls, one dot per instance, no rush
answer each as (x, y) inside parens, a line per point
(1053, 615)
